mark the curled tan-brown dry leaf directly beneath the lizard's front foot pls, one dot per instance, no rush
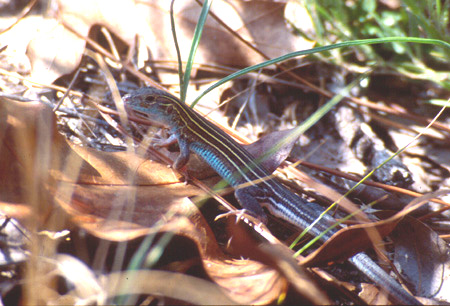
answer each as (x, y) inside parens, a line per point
(126, 196)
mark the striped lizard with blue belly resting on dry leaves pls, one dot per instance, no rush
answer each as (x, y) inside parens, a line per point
(238, 167)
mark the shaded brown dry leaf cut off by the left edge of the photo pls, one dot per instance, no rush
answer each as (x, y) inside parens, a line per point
(30, 146)
